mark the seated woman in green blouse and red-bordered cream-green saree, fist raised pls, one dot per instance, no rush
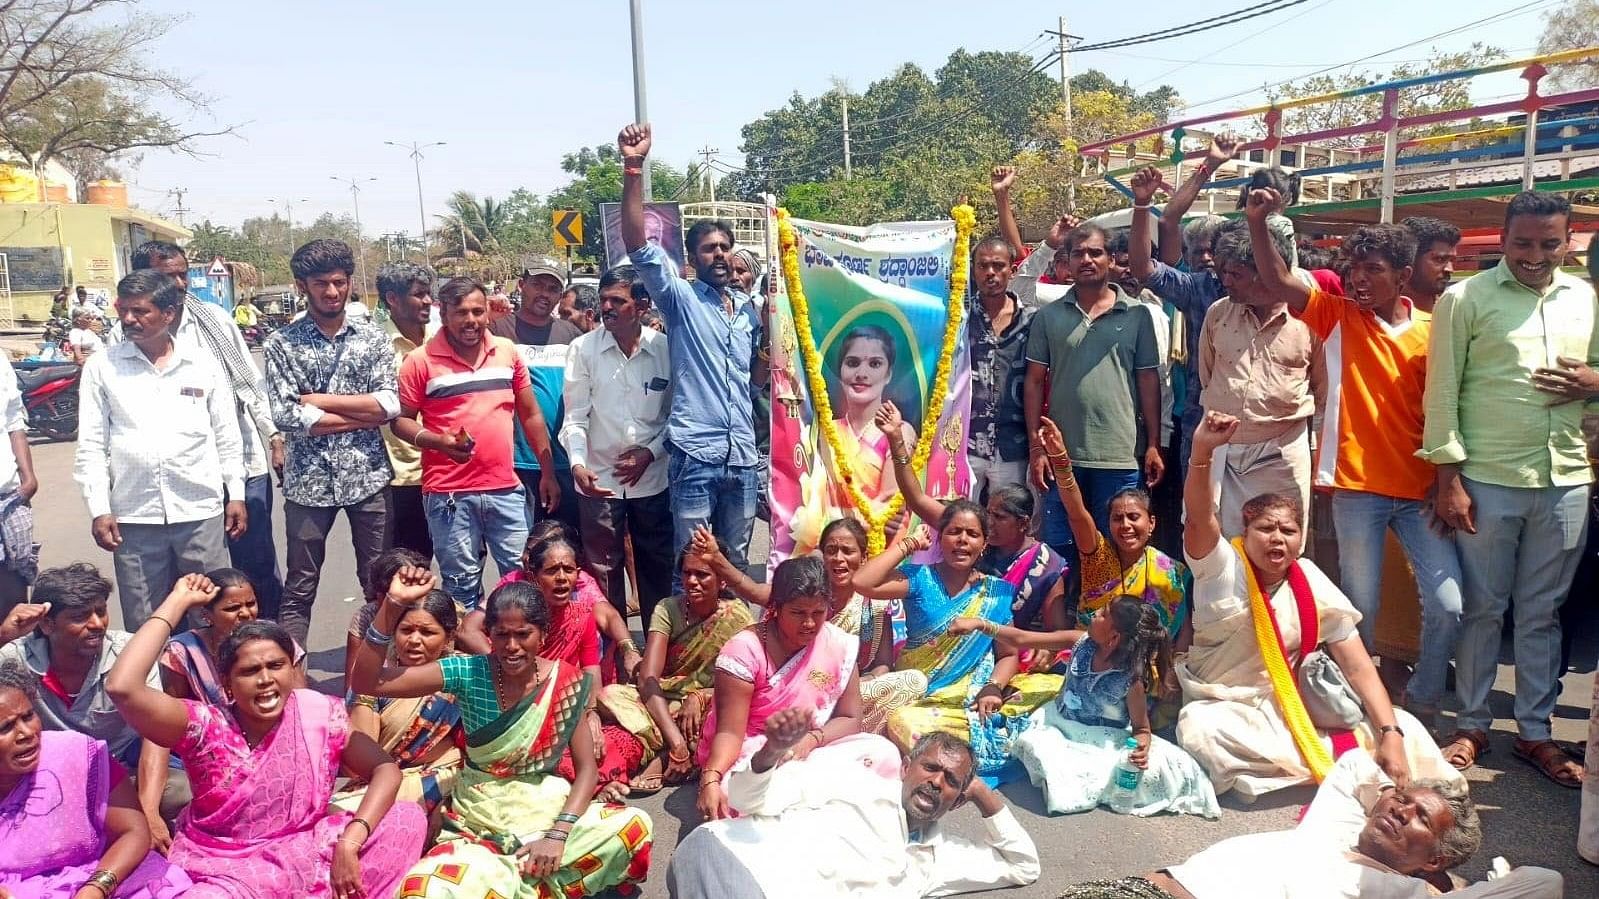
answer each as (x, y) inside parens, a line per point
(512, 826)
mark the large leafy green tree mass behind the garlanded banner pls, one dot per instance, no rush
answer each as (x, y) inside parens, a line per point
(920, 143)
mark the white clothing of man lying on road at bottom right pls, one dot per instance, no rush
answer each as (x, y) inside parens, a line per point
(1318, 860)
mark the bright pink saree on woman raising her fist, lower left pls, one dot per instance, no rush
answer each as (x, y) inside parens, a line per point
(260, 823)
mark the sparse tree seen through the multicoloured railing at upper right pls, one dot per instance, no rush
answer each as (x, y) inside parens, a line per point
(1438, 97)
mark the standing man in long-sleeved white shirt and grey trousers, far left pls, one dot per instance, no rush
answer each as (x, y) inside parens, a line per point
(158, 447)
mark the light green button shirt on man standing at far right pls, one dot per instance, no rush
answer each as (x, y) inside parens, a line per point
(1489, 335)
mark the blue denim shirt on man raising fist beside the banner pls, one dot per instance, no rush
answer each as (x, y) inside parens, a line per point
(712, 417)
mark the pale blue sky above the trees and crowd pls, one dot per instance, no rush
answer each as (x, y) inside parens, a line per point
(316, 89)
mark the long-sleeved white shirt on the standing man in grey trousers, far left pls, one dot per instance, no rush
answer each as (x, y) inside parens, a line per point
(158, 446)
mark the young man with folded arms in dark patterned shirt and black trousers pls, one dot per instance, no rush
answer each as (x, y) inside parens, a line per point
(332, 385)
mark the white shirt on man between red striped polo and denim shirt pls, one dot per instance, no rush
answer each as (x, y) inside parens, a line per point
(616, 402)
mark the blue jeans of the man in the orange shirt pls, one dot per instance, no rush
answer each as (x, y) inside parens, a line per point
(1363, 521)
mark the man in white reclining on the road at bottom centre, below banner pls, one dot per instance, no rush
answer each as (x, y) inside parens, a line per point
(851, 825)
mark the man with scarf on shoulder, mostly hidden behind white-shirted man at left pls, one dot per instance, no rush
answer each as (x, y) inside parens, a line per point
(207, 329)
